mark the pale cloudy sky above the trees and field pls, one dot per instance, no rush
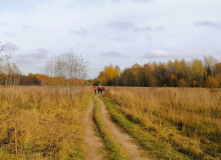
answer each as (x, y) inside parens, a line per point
(105, 32)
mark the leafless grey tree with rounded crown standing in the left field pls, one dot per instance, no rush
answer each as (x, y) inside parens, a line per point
(66, 69)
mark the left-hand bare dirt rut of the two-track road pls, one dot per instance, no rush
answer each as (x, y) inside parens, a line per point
(93, 142)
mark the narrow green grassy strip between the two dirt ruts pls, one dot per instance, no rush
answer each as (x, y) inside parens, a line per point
(115, 151)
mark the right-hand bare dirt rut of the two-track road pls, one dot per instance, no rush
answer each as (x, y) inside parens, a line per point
(132, 150)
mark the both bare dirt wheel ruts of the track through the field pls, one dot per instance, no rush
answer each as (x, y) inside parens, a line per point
(95, 144)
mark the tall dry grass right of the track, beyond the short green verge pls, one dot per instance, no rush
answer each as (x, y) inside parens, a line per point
(187, 118)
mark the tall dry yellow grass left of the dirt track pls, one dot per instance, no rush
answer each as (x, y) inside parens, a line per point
(41, 122)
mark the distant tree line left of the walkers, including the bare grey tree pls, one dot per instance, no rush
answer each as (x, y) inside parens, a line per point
(67, 69)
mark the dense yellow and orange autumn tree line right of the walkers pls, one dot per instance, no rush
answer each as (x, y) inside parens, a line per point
(177, 73)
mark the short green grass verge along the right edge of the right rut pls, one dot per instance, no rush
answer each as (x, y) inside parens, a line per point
(159, 149)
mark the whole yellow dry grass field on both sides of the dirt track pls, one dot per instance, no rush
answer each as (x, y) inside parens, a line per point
(48, 122)
